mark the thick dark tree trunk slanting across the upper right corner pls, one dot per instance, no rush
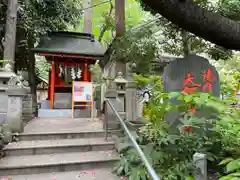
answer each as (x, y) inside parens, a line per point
(191, 17)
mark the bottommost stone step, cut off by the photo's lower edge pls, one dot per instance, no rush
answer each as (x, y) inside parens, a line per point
(96, 174)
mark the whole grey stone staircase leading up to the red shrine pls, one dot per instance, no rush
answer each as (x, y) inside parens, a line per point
(71, 150)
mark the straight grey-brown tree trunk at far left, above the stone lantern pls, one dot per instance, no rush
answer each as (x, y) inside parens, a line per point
(10, 33)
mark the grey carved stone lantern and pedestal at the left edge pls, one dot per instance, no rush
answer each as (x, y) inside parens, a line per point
(12, 91)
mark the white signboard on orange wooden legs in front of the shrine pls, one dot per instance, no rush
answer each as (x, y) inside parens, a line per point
(82, 92)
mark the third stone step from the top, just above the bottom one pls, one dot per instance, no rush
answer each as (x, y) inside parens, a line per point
(48, 163)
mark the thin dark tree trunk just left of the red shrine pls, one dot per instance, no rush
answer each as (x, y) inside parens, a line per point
(32, 72)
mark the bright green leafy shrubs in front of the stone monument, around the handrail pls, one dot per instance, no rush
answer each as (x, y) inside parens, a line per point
(171, 153)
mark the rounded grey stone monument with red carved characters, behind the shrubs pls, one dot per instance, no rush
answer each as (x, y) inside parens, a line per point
(190, 74)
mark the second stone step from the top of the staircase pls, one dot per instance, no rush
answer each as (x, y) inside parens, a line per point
(58, 146)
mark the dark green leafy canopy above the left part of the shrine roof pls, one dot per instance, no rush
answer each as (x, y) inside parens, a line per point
(48, 15)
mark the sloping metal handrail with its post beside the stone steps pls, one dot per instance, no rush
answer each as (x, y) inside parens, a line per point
(143, 158)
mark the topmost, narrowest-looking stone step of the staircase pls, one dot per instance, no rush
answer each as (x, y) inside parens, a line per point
(66, 135)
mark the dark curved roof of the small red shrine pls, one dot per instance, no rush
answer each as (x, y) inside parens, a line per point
(71, 43)
